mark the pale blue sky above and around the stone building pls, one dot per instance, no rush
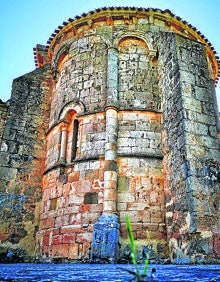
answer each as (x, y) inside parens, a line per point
(25, 23)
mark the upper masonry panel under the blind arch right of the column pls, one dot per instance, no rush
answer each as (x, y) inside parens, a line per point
(135, 73)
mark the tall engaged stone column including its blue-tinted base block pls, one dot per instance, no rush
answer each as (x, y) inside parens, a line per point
(106, 230)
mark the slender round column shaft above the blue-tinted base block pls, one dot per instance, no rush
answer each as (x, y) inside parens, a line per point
(110, 175)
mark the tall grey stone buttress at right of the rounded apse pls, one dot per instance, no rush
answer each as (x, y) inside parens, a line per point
(190, 139)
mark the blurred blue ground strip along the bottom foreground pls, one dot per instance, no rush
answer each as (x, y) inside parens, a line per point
(105, 272)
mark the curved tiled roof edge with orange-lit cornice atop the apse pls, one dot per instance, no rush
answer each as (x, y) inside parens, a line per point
(171, 21)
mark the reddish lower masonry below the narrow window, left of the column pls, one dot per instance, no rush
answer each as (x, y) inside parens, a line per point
(72, 203)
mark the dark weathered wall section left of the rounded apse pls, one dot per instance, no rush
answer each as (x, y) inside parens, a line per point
(22, 158)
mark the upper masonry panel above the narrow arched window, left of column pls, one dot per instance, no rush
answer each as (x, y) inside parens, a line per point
(82, 76)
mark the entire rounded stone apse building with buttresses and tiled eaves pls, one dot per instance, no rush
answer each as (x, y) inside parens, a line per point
(119, 118)
